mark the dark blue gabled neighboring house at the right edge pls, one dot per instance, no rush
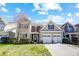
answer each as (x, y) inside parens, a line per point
(70, 30)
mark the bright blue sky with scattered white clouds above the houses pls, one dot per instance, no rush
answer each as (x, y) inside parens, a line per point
(42, 12)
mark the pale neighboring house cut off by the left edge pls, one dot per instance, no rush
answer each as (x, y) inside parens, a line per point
(6, 29)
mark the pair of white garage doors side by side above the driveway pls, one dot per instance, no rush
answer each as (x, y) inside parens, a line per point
(49, 38)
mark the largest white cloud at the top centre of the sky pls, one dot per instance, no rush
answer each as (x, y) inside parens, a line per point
(42, 8)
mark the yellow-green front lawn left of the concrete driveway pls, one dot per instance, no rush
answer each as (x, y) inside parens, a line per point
(23, 50)
